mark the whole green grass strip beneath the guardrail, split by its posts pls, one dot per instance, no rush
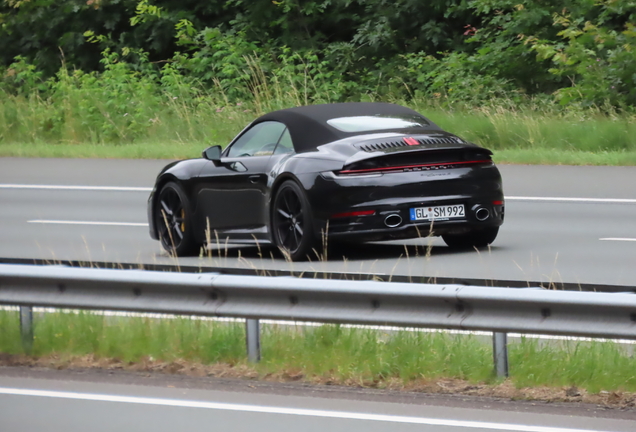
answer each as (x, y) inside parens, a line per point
(330, 352)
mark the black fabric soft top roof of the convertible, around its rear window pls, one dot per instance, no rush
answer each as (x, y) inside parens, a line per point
(308, 124)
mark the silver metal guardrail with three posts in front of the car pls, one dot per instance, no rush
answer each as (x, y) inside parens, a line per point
(498, 310)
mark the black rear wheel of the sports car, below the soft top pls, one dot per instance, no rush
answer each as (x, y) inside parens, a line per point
(292, 222)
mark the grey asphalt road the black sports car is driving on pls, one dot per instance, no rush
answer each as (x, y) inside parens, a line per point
(570, 224)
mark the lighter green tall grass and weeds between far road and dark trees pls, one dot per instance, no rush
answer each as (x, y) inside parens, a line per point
(168, 112)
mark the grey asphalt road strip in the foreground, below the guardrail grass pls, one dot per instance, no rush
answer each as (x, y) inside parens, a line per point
(43, 401)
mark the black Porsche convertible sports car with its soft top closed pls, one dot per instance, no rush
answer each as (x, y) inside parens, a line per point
(352, 171)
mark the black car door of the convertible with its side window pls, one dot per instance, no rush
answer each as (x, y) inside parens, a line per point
(231, 194)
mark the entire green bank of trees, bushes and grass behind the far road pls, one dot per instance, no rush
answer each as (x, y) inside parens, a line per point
(127, 71)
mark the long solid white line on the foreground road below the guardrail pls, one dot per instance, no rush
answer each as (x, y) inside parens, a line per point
(286, 411)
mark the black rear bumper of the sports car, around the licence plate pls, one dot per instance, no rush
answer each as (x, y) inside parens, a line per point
(393, 195)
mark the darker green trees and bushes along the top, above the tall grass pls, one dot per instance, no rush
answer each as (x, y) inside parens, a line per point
(467, 52)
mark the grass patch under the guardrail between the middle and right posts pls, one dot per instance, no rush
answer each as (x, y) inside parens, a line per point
(363, 356)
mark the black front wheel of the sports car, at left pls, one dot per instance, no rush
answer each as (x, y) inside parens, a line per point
(174, 221)
